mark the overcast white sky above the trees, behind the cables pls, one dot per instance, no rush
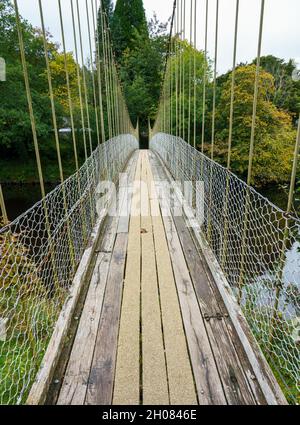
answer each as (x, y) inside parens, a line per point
(281, 30)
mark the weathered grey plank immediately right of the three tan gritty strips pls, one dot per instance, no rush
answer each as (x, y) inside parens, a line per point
(208, 383)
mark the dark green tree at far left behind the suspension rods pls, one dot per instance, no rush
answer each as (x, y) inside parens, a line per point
(15, 127)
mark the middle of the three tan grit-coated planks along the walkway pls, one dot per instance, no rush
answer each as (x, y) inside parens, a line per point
(154, 375)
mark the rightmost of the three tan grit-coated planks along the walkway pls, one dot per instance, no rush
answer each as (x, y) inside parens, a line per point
(180, 376)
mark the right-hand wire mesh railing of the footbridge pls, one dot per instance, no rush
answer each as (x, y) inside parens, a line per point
(258, 248)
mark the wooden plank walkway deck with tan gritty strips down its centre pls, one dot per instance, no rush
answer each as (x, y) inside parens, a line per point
(143, 337)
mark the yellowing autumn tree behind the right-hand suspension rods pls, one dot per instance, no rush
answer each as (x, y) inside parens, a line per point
(274, 134)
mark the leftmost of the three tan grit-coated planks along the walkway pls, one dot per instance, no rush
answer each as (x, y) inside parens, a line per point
(127, 380)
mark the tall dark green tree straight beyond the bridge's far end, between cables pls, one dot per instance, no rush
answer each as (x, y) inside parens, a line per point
(140, 50)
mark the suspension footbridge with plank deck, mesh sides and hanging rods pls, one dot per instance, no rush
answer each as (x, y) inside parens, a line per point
(108, 295)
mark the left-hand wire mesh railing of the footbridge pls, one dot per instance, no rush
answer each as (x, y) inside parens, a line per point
(39, 254)
